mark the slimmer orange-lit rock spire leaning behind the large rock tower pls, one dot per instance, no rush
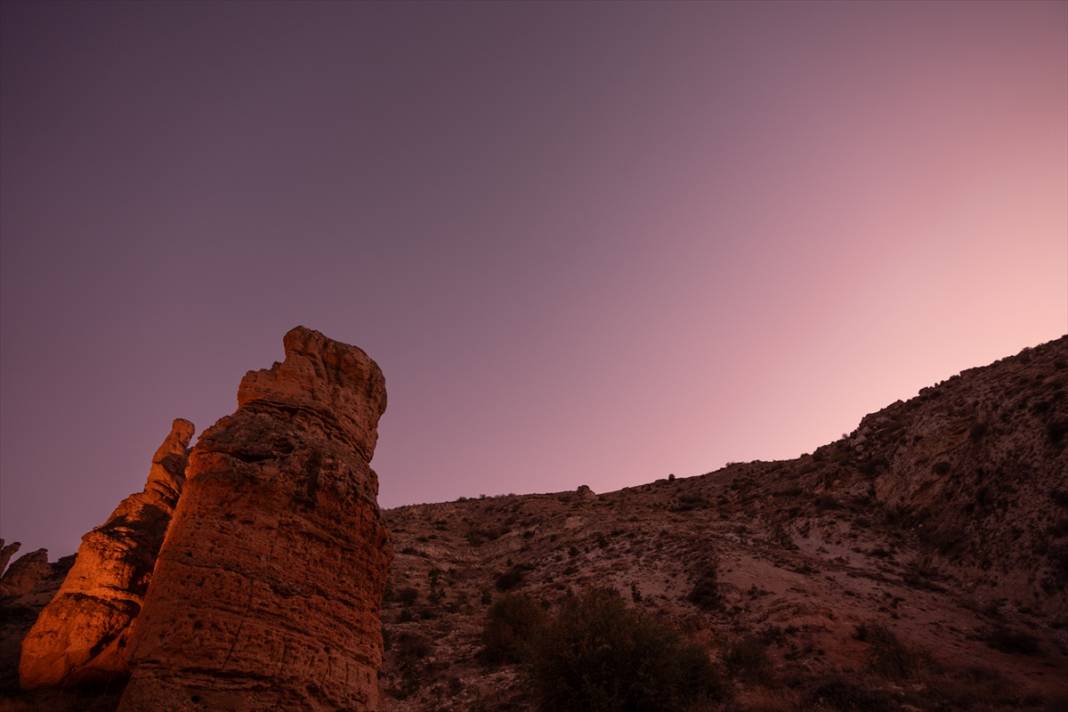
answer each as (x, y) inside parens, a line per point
(82, 635)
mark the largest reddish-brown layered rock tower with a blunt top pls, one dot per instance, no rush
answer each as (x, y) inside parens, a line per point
(268, 590)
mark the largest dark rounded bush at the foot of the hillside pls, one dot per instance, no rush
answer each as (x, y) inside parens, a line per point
(599, 656)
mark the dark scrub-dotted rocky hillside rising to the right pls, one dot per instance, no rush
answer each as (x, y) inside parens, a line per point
(919, 563)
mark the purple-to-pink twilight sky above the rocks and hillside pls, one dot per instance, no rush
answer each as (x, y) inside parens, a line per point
(588, 244)
